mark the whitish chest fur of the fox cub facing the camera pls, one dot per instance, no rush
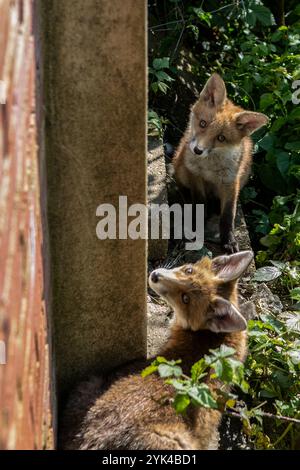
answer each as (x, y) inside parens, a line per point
(219, 167)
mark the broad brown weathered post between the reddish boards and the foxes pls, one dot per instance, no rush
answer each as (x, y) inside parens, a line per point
(91, 62)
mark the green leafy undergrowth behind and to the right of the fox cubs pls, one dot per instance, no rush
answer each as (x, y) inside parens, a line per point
(255, 46)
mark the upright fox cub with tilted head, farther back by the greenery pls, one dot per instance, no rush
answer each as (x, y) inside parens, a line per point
(214, 157)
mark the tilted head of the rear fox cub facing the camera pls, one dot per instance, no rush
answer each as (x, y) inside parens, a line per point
(216, 123)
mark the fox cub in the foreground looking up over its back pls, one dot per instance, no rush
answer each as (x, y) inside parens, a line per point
(127, 411)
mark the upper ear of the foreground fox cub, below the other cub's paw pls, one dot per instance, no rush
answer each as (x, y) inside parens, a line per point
(231, 267)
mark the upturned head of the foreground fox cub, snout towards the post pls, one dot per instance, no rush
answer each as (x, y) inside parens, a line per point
(203, 294)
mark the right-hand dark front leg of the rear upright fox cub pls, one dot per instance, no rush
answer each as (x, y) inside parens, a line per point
(228, 212)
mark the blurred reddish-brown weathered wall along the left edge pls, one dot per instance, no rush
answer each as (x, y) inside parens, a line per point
(25, 417)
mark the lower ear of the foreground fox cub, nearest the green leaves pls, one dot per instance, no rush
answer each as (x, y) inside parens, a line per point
(223, 317)
